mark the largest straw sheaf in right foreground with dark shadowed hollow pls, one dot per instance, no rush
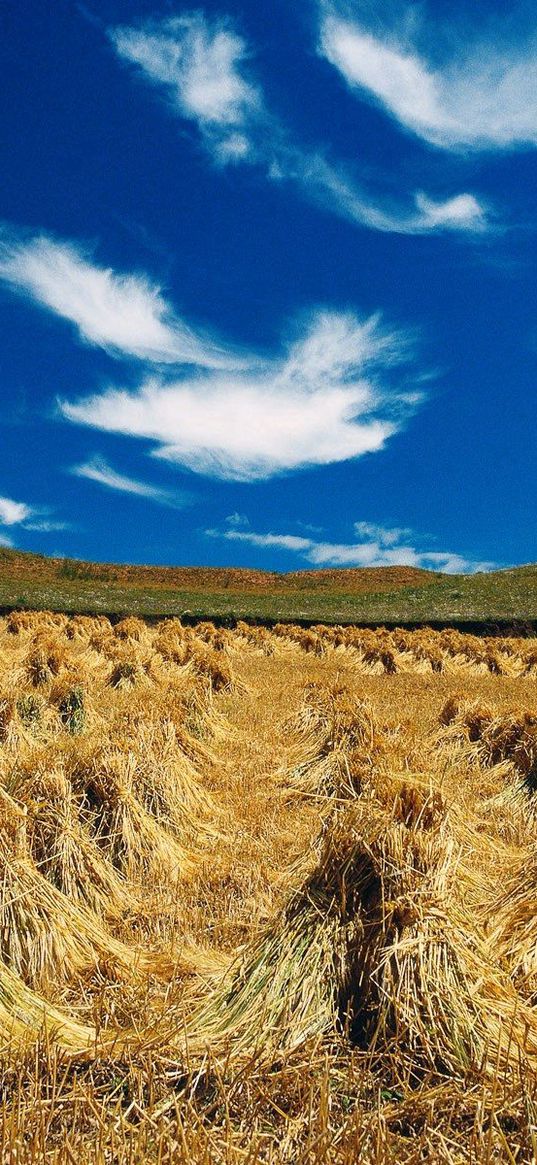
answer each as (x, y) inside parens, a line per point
(378, 947)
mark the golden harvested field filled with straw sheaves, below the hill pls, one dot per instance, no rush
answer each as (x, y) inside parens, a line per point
(266, 895)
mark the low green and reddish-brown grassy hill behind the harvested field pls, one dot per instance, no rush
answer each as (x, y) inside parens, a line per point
(392, 595)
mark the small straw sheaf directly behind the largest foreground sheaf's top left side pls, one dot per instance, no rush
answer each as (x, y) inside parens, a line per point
(335, 745)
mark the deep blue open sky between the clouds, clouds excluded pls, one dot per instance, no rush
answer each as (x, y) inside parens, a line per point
(91, 156)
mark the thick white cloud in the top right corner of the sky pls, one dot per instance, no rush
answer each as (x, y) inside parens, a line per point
(483, 97)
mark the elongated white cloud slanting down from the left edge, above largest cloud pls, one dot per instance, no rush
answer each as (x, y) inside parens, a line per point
(128, 315)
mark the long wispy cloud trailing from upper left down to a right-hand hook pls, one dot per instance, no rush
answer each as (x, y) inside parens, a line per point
(203, 67)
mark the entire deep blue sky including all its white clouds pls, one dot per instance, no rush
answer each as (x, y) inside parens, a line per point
(267, 283)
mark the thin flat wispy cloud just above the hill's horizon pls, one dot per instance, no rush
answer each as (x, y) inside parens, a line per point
(375, 546)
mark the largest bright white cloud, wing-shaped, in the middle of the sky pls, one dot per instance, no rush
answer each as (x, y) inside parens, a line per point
(329, 399)
